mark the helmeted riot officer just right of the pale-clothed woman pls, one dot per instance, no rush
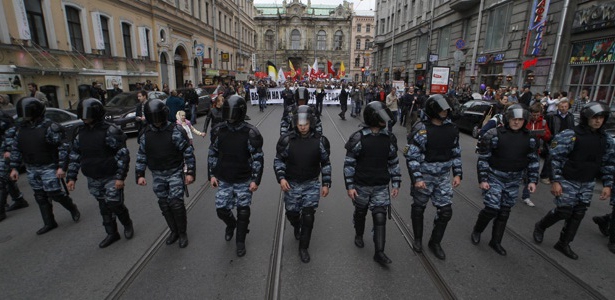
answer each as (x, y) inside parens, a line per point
(235, 165)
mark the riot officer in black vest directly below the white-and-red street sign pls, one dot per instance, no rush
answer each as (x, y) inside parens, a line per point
(432, 152)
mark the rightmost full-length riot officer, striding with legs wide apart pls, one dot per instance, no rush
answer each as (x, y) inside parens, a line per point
(579, 156)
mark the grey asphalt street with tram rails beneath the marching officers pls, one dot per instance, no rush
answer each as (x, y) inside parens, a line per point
(66, 263)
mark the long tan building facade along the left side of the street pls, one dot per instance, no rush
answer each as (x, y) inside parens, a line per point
(63, 46)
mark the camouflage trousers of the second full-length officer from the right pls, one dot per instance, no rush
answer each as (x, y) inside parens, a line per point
(503, 188)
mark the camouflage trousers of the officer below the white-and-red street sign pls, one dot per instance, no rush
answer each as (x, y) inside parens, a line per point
(438, 188)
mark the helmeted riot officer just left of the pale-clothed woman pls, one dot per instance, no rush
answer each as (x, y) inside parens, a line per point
(165, 148)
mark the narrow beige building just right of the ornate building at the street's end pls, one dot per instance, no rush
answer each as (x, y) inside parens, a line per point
(362, 35)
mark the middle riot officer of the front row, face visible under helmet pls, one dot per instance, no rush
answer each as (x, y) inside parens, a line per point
(302, 155)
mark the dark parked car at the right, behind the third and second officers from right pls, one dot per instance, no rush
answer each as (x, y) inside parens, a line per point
(470, 116)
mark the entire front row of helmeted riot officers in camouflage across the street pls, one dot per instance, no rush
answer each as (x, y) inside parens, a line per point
(506, 156)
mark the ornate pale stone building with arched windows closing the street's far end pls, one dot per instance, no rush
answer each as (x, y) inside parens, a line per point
(300, 33)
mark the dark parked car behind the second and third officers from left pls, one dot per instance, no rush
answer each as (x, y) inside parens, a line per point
(121, 109)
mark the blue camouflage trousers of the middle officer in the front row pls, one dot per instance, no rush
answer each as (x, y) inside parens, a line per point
(302, 194)
